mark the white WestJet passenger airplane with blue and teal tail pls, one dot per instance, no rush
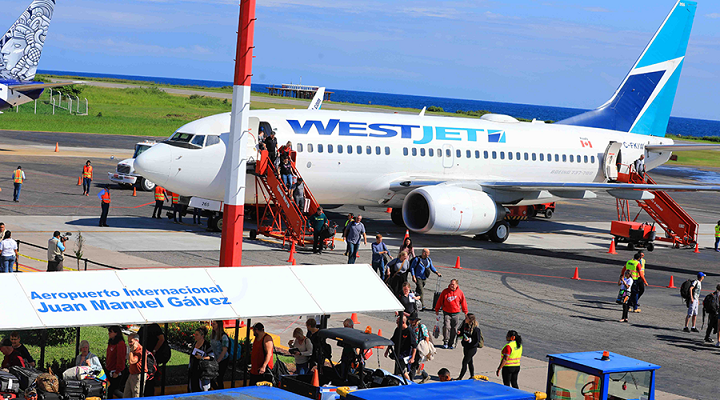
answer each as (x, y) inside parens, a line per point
(455, 176)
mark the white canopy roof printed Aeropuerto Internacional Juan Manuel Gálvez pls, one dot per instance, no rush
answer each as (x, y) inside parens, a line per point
(89, 298)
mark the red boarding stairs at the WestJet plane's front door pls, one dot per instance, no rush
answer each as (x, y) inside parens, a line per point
(280, 217)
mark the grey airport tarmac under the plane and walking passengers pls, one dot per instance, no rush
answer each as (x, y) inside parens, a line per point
(523, 284)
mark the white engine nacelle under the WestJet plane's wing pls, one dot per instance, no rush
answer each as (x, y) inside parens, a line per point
(450, 210)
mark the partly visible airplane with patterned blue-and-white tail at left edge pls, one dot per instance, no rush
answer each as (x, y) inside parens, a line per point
(20, 48)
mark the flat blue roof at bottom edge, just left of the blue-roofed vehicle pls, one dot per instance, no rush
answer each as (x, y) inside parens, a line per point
(455, 390)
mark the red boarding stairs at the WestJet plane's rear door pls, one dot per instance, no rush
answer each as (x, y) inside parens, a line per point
(680, 228)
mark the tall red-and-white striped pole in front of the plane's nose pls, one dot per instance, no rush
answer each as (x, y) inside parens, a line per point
(235, 153)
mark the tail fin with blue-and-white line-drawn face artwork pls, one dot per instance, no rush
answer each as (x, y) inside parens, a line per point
(22, 44)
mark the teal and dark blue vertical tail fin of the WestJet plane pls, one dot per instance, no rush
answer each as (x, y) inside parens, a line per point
(643, 102)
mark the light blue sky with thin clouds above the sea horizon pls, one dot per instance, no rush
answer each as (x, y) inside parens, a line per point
(567, 53)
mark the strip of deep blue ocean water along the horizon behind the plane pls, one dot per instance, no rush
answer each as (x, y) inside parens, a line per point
(677, 125)
